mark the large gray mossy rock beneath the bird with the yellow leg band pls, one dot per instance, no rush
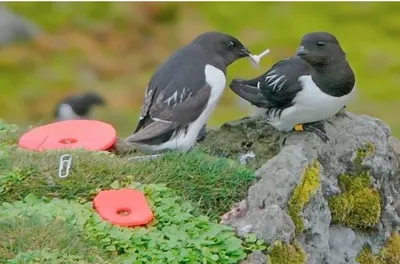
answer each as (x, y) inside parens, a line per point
(265, 210)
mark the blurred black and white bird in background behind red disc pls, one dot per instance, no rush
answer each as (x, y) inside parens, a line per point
(77, 106)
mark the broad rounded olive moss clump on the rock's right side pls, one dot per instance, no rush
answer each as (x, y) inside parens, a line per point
(358, 206)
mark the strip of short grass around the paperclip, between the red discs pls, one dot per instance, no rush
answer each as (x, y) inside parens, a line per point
(212, 184)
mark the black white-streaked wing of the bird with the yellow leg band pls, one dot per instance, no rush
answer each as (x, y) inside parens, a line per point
(275, 88)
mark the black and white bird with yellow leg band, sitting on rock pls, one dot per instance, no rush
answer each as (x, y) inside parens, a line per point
(300, 92)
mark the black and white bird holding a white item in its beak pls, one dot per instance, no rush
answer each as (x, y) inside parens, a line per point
(184, 91)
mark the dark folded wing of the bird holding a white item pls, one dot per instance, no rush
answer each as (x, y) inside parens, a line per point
(176, 96)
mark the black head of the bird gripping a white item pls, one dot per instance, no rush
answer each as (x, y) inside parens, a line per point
(227, 46)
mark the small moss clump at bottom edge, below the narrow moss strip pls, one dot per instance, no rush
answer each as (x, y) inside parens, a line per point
(281, 253)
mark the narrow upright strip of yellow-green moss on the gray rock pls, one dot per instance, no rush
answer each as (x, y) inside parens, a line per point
(302, 194)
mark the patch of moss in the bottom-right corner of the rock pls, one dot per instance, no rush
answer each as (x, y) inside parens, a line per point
(390, 254)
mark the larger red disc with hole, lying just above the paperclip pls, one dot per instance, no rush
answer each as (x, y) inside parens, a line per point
(70, 134)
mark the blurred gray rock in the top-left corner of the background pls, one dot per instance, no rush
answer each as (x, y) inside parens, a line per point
(14, 28)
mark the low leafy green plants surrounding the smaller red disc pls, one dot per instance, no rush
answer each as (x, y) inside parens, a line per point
(175, 236)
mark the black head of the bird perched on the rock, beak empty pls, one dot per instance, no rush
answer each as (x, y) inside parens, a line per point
(320, 48)
